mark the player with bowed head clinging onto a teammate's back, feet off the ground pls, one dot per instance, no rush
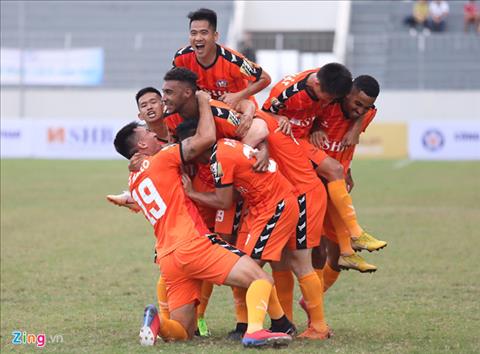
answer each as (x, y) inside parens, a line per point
(296, 101)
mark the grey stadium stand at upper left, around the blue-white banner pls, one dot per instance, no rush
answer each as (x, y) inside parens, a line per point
(139, 38)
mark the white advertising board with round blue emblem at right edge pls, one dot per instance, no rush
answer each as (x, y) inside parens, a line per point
(444, 140)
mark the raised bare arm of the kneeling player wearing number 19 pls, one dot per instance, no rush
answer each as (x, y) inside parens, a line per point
(205, 135)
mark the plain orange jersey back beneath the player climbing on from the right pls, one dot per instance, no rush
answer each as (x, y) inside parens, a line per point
(291, 159)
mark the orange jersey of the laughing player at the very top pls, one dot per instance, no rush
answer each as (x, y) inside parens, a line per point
(230, 72)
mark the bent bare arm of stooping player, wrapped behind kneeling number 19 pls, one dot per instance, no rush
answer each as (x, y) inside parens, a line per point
(222, 198)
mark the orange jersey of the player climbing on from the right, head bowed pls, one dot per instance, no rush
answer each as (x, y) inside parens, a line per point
(291, 98)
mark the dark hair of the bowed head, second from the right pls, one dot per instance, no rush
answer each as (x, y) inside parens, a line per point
(335, 79)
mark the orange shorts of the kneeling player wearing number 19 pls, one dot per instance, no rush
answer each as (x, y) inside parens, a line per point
(202, 258)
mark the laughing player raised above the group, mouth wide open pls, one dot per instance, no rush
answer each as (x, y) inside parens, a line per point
(225, 73)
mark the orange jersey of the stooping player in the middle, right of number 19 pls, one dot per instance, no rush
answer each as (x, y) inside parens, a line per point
(231, 165)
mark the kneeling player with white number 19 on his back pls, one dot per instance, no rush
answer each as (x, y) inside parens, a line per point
(182, 237)
